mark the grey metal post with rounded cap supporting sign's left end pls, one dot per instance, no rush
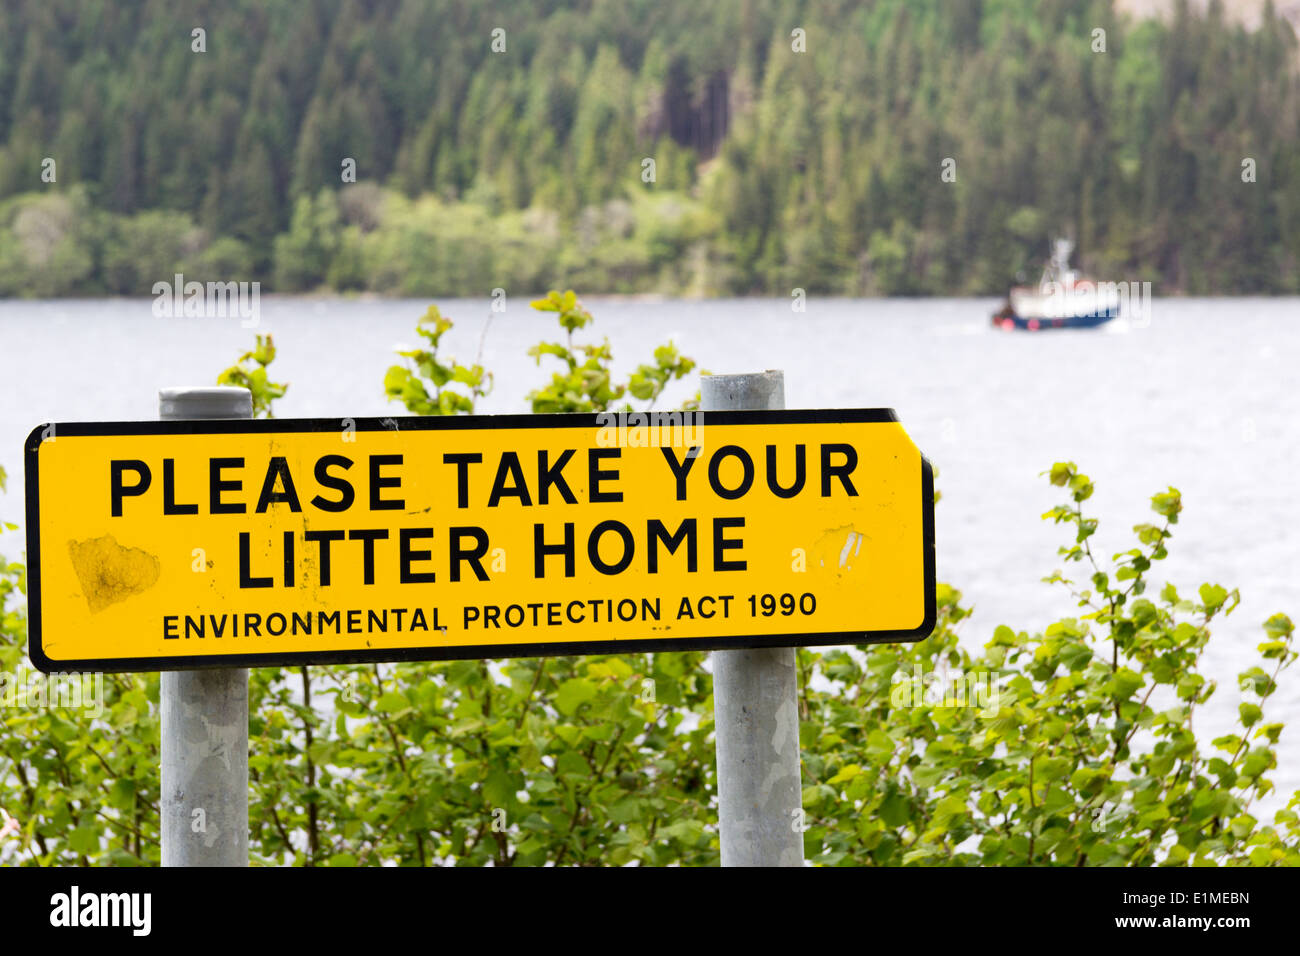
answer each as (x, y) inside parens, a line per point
(205, 799)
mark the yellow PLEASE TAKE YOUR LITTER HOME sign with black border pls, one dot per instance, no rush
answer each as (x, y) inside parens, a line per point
(192, 544)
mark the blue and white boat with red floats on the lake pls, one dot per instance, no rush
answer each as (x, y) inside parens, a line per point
(1064, 300)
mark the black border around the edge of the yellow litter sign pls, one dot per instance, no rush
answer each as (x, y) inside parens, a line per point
(422, 423)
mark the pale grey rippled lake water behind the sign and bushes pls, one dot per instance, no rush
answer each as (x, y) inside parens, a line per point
(1204, 397)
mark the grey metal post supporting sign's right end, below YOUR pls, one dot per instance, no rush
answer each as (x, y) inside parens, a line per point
(756, 706)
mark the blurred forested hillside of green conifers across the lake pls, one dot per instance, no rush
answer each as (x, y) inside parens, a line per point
(782, 159)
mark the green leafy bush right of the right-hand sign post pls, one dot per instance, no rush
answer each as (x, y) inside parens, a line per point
(1085, 754)
